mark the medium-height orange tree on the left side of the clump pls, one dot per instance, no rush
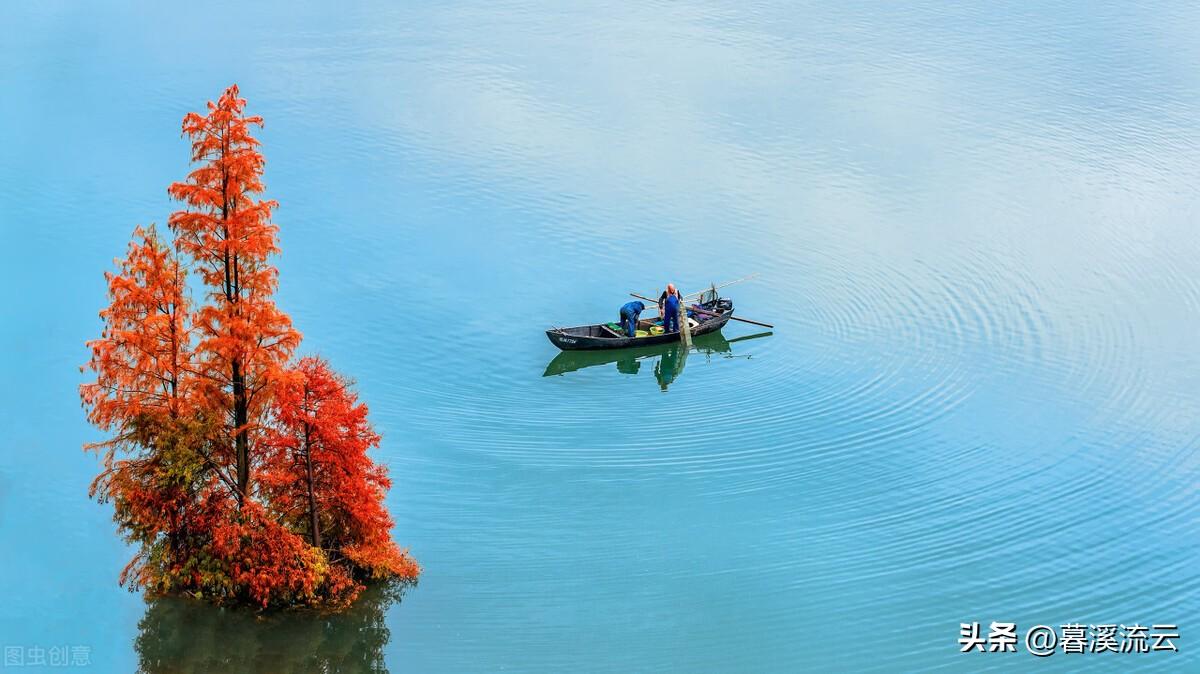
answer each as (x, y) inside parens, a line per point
(143, 396)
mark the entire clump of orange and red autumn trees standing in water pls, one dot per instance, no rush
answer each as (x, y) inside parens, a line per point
(205, 466)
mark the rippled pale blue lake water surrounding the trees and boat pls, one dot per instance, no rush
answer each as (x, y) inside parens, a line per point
(975, 227)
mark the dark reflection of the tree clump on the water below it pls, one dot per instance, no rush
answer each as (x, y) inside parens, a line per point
(183, 636)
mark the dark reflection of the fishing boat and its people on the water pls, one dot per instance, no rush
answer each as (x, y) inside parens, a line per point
(669, 359)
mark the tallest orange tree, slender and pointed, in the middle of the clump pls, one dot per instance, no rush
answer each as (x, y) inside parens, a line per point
(226, 227)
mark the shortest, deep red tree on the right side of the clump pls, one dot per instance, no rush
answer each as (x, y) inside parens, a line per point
(320, 478)
